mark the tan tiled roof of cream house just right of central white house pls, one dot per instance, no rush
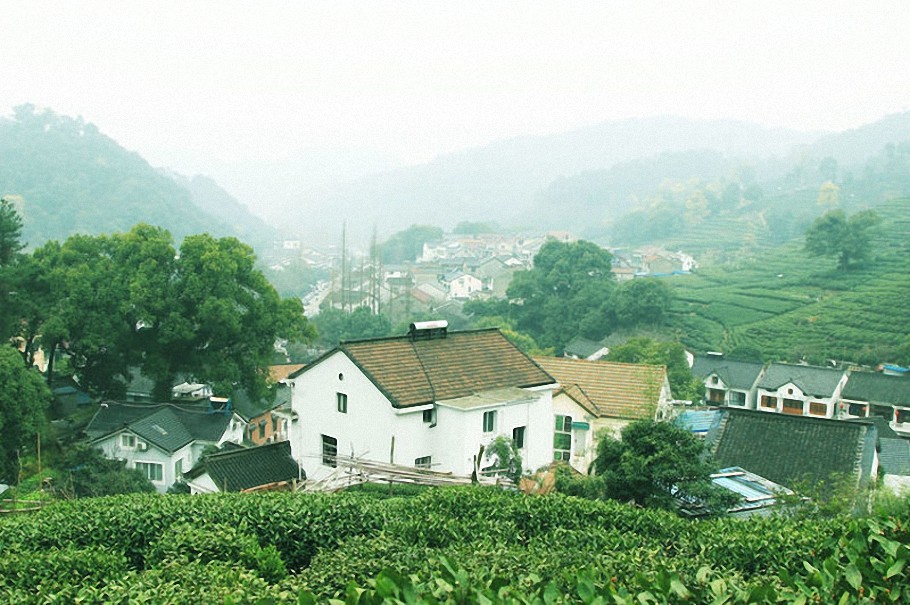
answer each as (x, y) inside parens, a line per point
(617, 390)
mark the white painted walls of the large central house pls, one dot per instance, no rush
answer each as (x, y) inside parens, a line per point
(450, 433)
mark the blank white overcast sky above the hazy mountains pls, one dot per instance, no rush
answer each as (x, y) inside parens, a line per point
(199, 84)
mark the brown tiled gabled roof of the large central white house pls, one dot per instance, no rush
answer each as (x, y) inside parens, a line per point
(416, 371)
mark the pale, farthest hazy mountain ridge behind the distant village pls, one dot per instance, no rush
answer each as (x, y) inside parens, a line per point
(499, 182)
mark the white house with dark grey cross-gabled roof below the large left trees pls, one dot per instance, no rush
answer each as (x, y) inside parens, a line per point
(161, 440)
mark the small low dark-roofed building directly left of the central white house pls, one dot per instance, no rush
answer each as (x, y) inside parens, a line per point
(244, 469)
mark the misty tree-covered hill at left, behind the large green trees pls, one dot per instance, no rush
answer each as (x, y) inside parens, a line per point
(70, 178)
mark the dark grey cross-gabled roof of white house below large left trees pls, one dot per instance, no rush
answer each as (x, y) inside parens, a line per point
(168, 426)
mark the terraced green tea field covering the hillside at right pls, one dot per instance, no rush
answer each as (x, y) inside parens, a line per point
(792, 306)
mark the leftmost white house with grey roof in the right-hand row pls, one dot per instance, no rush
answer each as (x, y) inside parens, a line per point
(727, 381)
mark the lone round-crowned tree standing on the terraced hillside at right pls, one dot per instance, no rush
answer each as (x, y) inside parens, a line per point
(847, 238)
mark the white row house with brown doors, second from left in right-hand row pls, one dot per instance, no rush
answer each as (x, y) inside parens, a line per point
(800, 390)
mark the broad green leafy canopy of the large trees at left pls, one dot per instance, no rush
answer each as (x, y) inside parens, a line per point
(130, 299)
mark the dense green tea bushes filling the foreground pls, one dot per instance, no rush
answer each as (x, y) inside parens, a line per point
(460, 545)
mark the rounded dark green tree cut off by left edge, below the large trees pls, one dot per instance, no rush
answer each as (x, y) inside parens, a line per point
(24, 400)
